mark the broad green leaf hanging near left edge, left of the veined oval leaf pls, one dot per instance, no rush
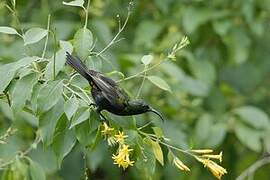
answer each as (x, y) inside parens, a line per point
(23, 91)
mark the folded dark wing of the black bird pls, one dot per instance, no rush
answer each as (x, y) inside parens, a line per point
(110, 90)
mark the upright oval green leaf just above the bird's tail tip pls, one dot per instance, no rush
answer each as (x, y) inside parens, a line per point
(83, 41)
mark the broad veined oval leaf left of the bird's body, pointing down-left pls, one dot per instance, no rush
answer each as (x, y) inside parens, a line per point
(49, 95)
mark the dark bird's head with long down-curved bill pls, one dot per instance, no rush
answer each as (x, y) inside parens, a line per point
(140, 106)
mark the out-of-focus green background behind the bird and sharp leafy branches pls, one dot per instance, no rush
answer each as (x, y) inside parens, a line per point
(220, 83)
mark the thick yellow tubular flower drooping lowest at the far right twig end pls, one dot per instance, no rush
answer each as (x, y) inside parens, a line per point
(215, 169)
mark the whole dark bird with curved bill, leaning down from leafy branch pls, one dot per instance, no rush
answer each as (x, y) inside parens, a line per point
(107, 94)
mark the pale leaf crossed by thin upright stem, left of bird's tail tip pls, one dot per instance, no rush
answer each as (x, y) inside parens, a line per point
(60, 60)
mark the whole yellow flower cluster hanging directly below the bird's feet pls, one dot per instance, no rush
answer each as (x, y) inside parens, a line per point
(122, 157)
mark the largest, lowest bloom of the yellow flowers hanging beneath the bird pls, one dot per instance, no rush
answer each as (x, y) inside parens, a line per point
(122, 158)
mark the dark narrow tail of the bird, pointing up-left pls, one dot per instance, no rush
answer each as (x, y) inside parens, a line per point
(78, 65)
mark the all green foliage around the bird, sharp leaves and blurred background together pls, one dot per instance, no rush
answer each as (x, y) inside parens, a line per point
(213, 94)
